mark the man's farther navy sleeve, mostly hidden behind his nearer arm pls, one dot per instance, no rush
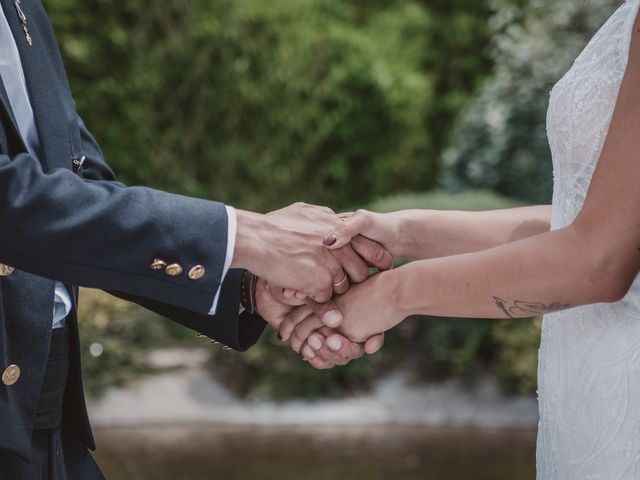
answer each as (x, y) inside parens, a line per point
(239, 332)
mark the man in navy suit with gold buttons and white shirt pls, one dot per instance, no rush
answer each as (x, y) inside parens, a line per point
(65, 221)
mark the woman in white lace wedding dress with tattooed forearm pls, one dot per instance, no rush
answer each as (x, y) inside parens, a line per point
(576, 262)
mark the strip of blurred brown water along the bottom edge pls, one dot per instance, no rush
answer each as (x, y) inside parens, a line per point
(206, 452)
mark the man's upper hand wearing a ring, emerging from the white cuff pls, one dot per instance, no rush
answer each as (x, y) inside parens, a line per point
(286, 248)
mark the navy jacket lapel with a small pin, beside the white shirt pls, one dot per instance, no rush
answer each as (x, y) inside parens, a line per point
(55, 149)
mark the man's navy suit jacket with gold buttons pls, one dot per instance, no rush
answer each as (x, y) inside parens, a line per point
(85, 229)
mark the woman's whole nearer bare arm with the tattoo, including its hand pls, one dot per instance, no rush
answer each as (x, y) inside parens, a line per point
(594, 259)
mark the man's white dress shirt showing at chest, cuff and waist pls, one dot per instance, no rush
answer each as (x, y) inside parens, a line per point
(12, 77)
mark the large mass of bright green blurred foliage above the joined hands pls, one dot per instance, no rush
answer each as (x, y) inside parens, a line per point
(260, 104)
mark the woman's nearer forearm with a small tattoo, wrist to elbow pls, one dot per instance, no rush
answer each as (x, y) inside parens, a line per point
(537, 275)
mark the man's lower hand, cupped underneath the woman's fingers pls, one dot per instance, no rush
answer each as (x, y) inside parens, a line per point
(325, 348)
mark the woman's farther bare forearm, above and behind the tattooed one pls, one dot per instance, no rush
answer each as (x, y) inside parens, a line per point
(435, 233)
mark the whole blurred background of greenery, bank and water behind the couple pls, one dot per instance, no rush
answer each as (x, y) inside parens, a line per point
(384, 104)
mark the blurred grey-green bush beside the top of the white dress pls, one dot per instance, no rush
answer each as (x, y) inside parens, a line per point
(501, 143)
